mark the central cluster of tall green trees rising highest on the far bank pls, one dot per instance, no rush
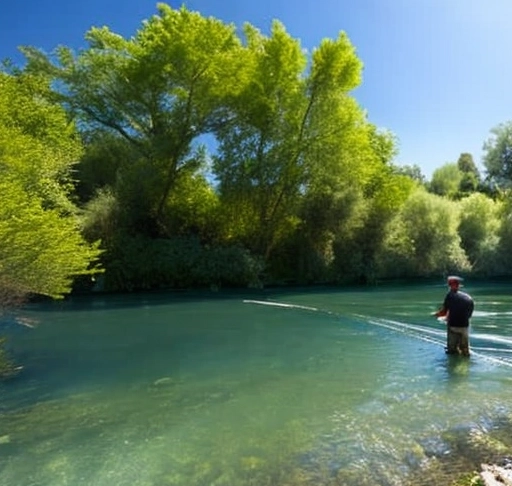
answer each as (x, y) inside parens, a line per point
(290, 138)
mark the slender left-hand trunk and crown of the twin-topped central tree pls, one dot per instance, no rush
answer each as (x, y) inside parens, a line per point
(257, 161)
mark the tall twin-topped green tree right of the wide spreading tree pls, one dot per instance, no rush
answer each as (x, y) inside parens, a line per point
(294, 133)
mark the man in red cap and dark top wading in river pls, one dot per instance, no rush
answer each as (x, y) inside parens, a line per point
(458, 309)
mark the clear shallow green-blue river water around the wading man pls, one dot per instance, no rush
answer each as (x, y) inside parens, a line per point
(279, 388)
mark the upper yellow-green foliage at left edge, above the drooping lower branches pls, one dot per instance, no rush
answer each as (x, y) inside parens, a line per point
(37, 142)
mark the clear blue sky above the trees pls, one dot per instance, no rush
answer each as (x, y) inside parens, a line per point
(437, 72)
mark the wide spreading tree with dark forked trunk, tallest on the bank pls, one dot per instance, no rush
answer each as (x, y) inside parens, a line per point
(160, 91)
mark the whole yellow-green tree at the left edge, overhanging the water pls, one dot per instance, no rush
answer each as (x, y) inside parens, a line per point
(41, 248)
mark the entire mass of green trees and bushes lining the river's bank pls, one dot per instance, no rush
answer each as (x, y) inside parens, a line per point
(302, 179)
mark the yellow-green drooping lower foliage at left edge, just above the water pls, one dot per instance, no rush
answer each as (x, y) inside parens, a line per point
(41, 251)
